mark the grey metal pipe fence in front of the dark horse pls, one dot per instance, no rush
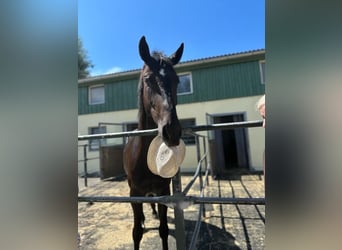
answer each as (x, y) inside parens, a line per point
(179, 200)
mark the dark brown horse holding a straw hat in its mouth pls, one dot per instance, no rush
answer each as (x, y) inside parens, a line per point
(157, 93)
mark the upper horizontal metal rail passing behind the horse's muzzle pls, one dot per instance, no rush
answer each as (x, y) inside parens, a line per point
(190, 129)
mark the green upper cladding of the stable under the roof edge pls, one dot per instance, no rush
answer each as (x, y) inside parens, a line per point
(221, 77)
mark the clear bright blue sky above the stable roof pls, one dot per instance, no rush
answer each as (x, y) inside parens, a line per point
(111, 29)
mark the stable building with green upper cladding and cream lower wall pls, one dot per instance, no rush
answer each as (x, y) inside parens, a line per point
(213, 90)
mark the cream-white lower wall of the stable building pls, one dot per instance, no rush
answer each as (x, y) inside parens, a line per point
(256, 136)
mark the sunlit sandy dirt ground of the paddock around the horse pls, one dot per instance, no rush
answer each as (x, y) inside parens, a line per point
(225, 226)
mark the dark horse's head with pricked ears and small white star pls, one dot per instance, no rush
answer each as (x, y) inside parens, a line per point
(159, 91)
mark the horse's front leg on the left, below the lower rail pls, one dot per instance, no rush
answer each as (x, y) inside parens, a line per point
(138, 223)
